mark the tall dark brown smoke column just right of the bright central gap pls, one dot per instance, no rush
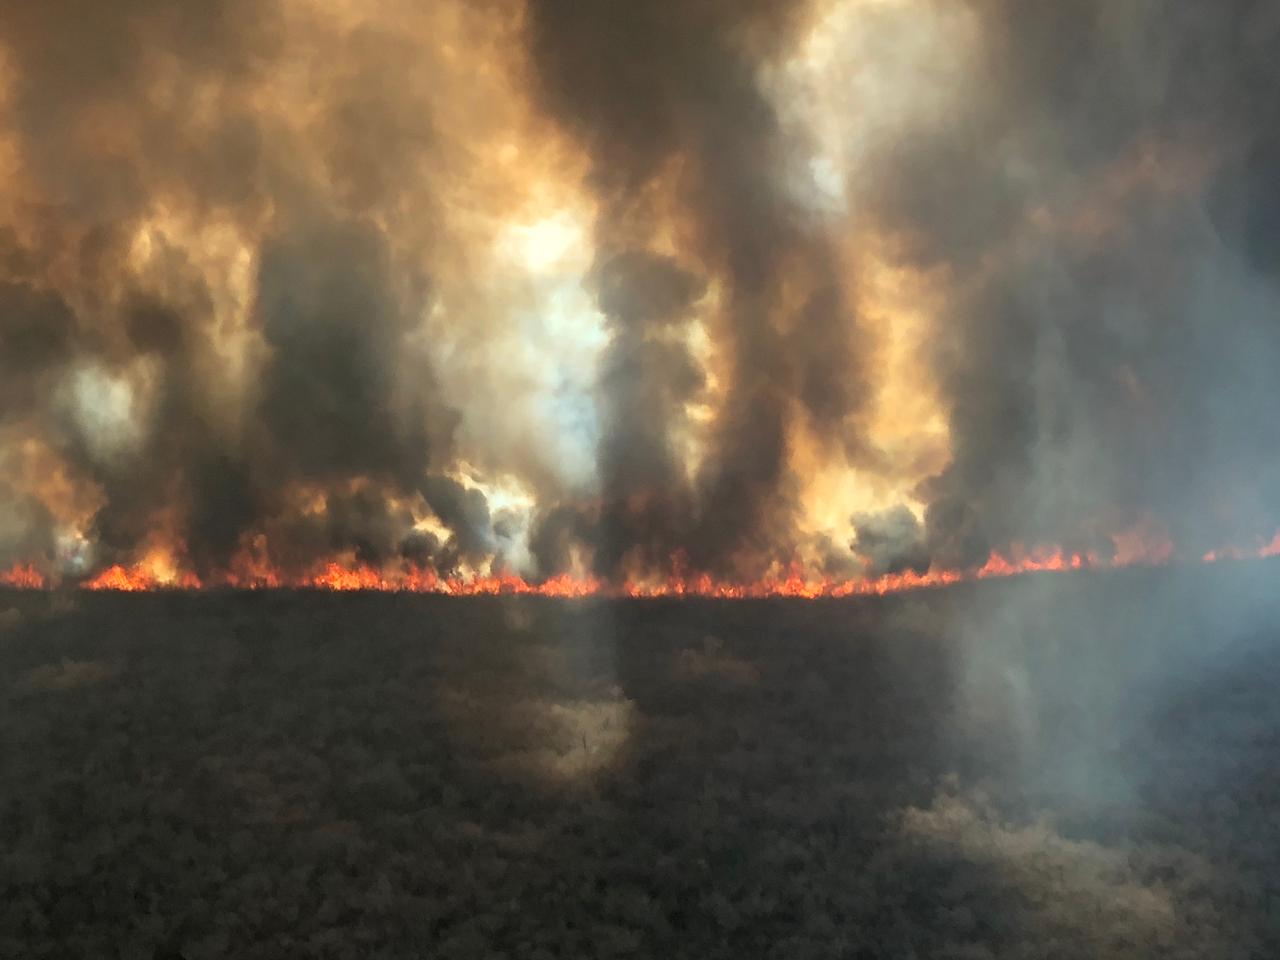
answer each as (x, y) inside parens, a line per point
(646, 85)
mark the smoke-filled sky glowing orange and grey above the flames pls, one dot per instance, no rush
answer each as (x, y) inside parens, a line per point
(248, 249)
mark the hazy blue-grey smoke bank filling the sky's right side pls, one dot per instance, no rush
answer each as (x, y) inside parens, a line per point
(1108, 207)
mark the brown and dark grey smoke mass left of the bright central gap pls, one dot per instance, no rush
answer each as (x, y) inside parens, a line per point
(342, 408)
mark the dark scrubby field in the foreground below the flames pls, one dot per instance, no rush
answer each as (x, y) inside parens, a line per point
(1066, 766)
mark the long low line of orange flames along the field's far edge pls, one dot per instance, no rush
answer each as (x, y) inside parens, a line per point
(253, 572)
